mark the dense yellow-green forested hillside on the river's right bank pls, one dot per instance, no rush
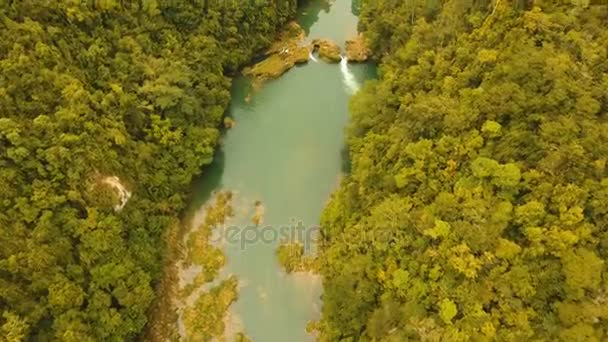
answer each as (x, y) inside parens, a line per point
(477, 207)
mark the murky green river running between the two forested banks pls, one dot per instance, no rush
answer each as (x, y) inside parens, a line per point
(287, 152)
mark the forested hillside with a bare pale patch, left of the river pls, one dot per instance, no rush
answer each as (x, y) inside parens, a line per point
(89, 91)
